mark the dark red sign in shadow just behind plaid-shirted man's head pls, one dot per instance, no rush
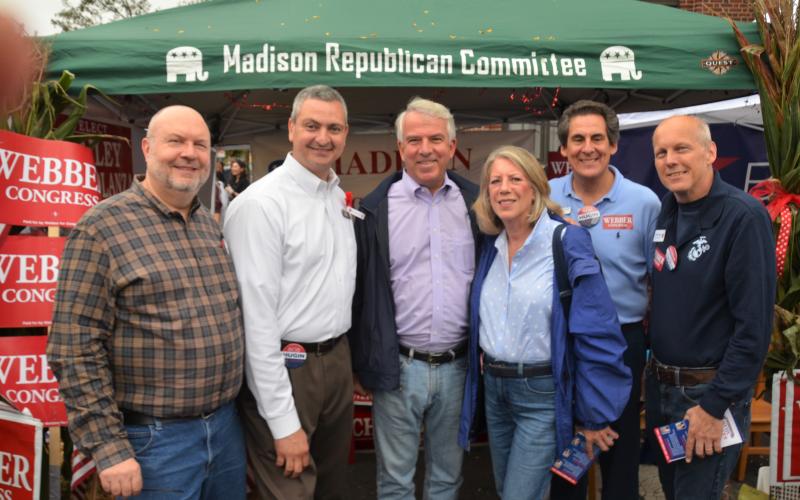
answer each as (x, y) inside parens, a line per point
(113, 159)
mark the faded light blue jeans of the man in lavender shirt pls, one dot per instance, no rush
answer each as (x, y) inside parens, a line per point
(429, 396)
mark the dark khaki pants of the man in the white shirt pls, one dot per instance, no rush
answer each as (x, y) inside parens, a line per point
(323, 395)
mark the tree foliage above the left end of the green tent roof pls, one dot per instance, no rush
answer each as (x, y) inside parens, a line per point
(84, 13)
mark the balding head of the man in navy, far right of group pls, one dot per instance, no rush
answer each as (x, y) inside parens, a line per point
(684, 155)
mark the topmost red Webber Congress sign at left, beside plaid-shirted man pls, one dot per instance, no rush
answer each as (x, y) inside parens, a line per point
(45, 183)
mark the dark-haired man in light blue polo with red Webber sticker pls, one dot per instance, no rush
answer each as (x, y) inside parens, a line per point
(620, 216)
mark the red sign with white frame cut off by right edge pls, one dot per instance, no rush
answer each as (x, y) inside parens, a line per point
(784, 460)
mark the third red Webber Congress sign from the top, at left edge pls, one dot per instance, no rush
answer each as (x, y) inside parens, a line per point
(26, 380)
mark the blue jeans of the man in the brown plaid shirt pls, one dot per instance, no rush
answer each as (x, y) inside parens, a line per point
(198, 458)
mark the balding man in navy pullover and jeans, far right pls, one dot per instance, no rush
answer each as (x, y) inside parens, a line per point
(713, 294)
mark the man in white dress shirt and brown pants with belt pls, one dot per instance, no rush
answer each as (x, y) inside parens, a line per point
(295, 257)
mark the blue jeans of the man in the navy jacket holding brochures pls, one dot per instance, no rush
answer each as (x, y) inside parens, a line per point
(704, 478)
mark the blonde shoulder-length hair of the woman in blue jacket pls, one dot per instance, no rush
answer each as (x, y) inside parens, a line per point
(488, 221)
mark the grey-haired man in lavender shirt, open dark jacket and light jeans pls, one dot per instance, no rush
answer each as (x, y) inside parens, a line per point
(416, 256)
